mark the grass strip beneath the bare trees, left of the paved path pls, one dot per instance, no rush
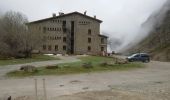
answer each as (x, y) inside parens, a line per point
(34, 58)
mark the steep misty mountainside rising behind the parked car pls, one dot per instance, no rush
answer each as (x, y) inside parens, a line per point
(157, 43)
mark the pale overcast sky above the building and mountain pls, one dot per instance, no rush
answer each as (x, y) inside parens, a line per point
(121, 18)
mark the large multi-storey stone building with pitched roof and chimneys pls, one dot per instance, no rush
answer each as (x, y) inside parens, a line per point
(72, 33)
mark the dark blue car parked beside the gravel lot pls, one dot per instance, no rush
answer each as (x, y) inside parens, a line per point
(143, 57)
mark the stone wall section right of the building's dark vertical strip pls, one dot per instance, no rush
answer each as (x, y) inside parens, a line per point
(81, 39)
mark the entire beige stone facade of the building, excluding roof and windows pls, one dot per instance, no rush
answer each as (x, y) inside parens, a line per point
(53, 35)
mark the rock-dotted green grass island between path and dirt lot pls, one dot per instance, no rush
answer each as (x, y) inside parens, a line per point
(76, 68)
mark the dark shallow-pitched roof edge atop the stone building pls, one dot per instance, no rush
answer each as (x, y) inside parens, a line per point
(68, 14)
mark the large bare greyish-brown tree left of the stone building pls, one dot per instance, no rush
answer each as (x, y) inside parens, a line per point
(15, 38)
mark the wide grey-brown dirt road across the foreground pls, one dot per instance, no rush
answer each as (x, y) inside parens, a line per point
(150, 83)
